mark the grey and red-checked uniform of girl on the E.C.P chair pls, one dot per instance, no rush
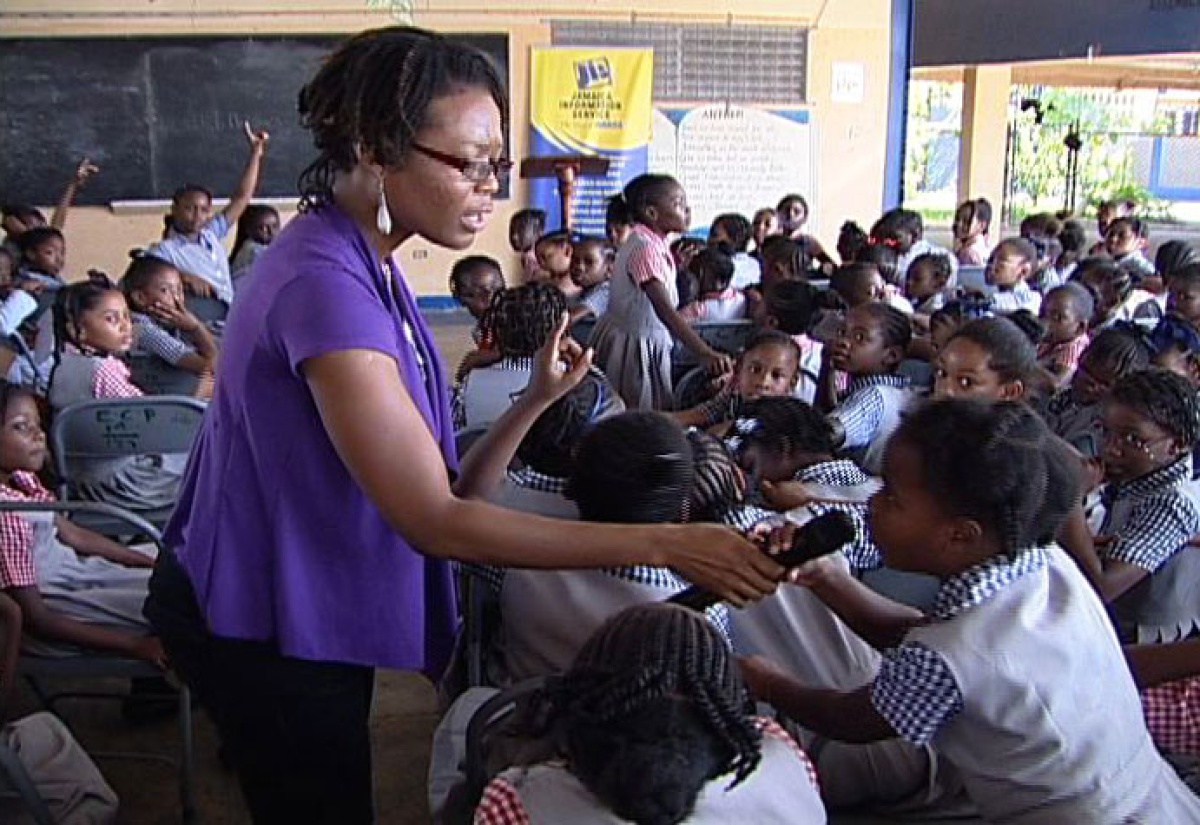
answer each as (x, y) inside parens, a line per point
(135, 483)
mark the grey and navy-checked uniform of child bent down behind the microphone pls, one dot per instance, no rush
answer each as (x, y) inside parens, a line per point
(795, 629)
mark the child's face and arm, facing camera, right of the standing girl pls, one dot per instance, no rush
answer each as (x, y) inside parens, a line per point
(769, 366)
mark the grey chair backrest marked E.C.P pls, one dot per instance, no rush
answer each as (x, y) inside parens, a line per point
(119, 427)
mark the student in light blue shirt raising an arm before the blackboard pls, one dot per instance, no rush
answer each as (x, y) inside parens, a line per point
(194, 239)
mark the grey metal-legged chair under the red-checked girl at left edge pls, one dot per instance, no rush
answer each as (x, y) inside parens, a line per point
(38, 671)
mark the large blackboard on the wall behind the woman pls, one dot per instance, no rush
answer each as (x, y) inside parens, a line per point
(158, 113)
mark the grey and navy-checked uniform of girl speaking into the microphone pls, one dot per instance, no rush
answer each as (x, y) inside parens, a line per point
(1019, 683)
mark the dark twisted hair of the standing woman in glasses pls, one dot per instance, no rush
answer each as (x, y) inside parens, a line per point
(374, 95)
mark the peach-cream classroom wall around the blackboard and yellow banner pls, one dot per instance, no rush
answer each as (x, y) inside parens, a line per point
(851, 137)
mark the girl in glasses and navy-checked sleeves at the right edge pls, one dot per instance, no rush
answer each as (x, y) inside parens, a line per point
(1148, 574)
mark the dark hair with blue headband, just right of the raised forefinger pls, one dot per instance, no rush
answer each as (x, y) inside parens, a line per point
(549, 448)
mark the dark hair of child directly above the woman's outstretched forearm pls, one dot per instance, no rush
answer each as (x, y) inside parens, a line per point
(634, 468)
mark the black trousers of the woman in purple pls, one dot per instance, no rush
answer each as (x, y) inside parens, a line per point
(296, 732)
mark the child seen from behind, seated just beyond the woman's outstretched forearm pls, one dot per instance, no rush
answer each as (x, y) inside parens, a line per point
(635, 468)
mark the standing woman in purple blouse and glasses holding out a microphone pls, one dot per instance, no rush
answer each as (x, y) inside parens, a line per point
(317, 515)
